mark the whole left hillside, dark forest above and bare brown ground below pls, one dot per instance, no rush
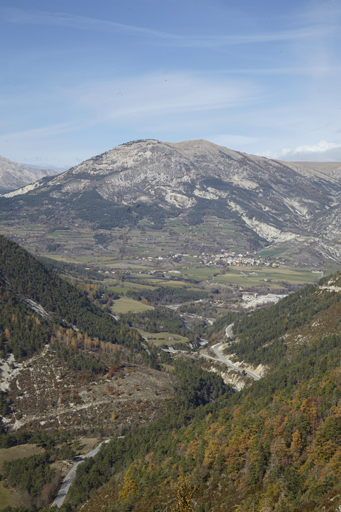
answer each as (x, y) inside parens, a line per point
(79, 368)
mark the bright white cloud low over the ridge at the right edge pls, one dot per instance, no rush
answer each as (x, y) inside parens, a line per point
(323, 151)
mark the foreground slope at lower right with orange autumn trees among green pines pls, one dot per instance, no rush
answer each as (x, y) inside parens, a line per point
(275, 446)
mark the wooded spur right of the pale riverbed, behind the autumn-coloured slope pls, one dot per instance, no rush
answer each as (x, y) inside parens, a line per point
(261, 334)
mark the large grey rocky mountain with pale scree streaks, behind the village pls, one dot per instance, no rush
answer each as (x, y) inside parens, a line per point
(296, 204)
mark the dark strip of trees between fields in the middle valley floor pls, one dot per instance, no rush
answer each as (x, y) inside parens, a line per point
(167, 295)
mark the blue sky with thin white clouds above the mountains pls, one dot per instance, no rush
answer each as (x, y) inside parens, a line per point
(80, 77)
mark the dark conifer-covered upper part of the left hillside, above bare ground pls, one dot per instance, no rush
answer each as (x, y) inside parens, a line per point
(23, 277)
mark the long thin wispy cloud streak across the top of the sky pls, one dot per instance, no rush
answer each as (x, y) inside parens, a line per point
(86, 23)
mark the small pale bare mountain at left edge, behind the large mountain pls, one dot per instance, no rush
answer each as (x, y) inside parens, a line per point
(14, 176)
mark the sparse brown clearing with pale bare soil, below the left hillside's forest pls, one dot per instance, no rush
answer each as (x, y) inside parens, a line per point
(46, 394)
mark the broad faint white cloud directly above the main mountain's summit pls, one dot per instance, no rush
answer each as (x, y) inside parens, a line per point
(142, 98)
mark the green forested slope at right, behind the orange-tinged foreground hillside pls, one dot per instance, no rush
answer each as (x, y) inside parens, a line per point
(265, 336)
